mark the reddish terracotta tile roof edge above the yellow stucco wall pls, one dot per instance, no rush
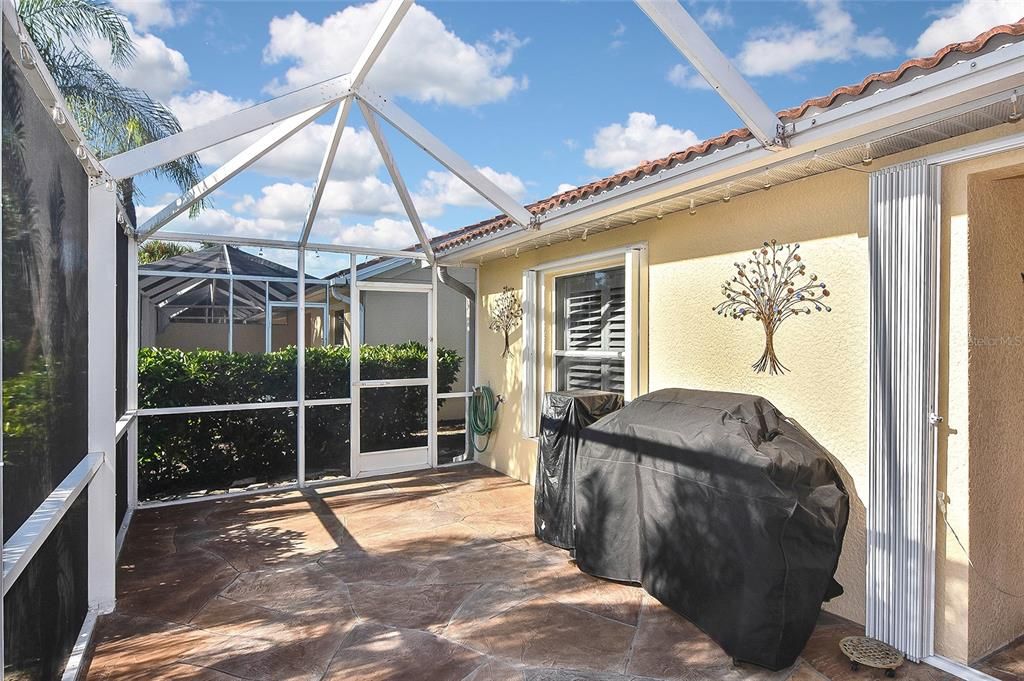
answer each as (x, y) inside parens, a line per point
(908, 71)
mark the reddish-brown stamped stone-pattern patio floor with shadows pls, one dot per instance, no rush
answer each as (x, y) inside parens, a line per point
(428, 576)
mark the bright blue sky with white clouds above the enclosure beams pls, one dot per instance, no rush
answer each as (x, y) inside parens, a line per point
(540, 95)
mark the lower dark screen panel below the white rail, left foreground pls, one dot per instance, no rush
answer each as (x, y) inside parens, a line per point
(46, 608)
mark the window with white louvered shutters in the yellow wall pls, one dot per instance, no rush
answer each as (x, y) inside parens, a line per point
(590, 331)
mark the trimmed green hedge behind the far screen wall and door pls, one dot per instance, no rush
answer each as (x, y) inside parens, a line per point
(187, 453)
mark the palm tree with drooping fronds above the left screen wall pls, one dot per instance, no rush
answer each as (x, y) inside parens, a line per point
(114, 118)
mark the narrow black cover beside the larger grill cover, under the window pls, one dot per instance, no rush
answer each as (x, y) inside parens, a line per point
(563, 417)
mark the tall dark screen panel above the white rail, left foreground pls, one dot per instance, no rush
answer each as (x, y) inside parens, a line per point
(45, 325)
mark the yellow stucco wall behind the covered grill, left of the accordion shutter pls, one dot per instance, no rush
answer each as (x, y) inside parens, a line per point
(691, 347)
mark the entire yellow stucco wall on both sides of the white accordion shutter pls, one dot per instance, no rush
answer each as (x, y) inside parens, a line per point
(827, 390)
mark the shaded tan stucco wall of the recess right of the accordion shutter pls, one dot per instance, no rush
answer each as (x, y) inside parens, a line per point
(996, 257)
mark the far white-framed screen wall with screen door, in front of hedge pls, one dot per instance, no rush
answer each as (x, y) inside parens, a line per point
(223, 350)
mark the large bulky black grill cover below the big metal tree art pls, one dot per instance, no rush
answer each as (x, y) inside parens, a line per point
(722, 508)
